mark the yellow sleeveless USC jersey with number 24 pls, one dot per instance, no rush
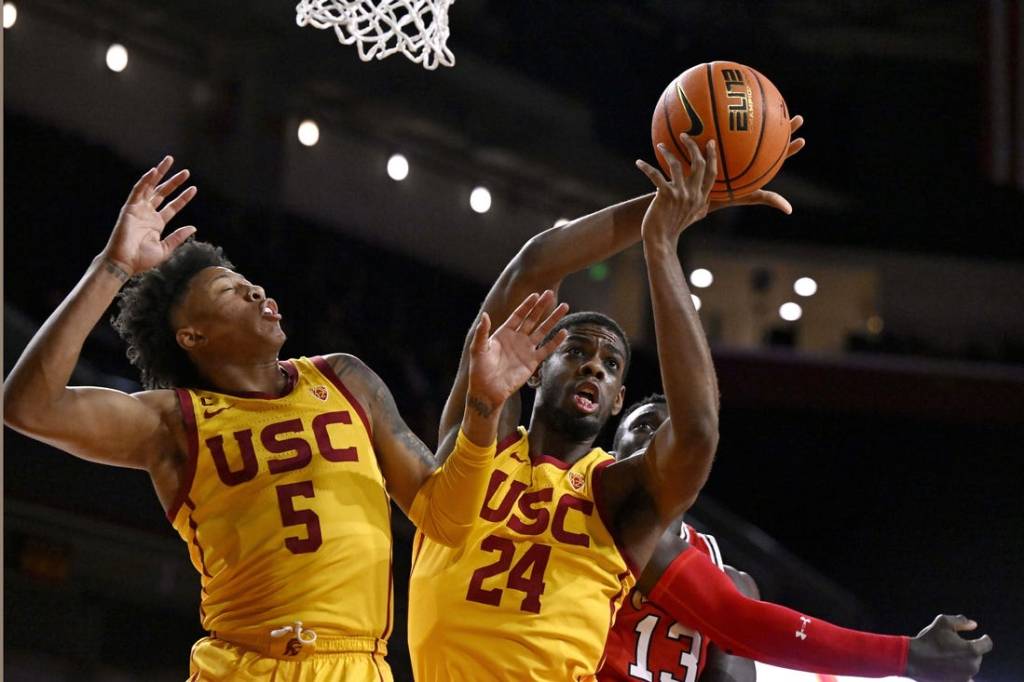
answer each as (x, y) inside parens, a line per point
(533, 593)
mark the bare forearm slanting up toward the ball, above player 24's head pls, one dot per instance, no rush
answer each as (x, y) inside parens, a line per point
(554, 254)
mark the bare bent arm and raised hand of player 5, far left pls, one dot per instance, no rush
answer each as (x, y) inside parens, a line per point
(100, 424)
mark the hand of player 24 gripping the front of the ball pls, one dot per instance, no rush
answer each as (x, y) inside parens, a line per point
(681, 200)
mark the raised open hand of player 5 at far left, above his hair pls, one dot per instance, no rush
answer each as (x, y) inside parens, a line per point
(136, 245)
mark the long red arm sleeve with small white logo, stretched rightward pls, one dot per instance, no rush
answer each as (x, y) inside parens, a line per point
(694, 591)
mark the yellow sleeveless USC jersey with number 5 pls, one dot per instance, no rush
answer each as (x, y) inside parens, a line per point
(284, 509)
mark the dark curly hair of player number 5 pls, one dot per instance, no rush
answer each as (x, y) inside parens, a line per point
(144, 320)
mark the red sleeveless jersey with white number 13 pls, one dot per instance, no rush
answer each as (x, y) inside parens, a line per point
(647, 644)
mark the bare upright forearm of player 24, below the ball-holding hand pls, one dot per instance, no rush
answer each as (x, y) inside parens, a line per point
(688, 375)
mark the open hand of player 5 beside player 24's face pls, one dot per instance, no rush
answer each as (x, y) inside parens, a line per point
(501, 364)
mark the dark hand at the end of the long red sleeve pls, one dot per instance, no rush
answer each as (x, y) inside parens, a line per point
(938, 654)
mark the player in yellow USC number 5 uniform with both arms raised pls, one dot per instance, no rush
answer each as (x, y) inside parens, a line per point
(277, 475)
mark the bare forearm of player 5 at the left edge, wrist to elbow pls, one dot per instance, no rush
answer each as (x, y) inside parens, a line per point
(41, 375)
